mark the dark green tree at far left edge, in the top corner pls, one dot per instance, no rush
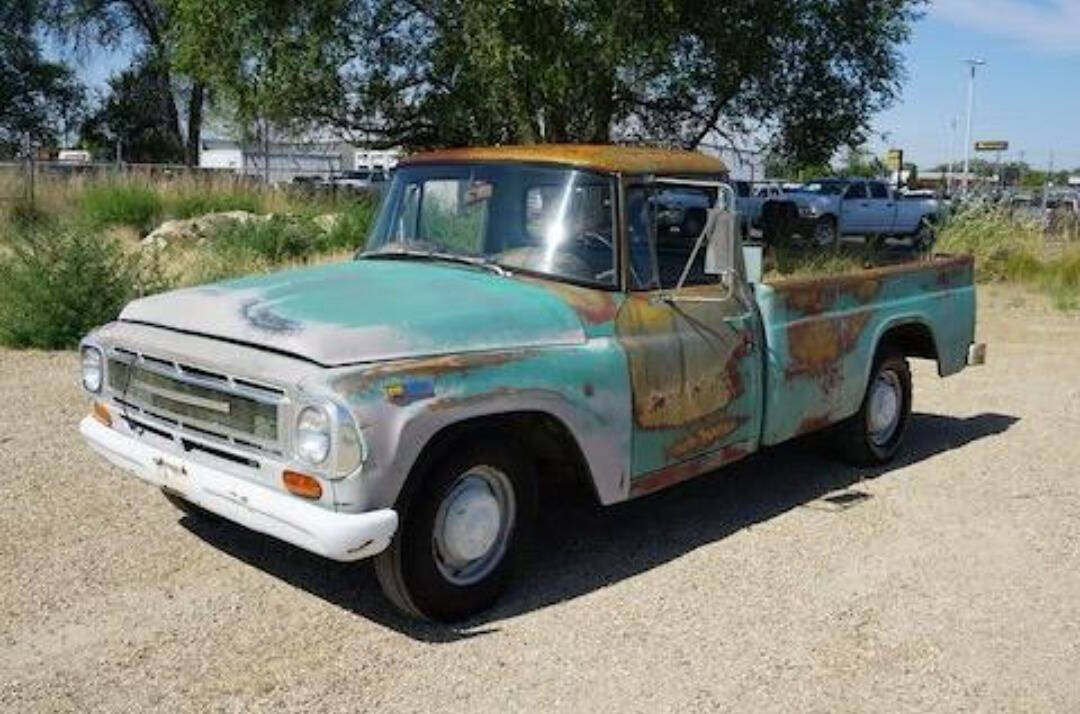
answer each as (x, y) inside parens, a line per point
(38, 99)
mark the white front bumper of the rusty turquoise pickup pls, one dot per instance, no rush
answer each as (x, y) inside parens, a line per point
(331, 534)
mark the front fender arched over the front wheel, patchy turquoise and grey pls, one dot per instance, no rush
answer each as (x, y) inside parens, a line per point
(401, 407)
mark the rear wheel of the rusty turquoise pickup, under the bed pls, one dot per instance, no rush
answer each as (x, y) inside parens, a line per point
(873, 436)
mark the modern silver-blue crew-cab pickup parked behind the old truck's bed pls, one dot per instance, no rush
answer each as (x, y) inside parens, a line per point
(827, 209)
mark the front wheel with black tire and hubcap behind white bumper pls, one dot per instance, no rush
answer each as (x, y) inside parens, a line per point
(465, 524)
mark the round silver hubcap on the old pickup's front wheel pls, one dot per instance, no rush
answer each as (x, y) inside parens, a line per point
(474, 526)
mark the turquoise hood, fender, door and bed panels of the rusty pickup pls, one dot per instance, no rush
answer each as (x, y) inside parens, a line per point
(649, 399)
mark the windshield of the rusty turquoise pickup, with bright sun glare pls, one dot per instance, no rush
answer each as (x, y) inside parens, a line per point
(551, 222)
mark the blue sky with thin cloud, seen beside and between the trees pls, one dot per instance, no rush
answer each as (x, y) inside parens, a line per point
(1029, 93)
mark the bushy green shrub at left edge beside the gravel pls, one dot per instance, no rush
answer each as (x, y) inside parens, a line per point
(58, 284)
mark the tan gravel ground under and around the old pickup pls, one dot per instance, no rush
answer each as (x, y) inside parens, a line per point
(949, 582)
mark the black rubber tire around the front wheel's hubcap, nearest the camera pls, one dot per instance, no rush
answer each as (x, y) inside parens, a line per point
(410, 569)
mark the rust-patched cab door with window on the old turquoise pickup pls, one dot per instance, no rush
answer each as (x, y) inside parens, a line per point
(695, 371)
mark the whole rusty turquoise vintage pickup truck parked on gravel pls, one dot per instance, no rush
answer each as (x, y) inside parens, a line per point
(520, 317)
